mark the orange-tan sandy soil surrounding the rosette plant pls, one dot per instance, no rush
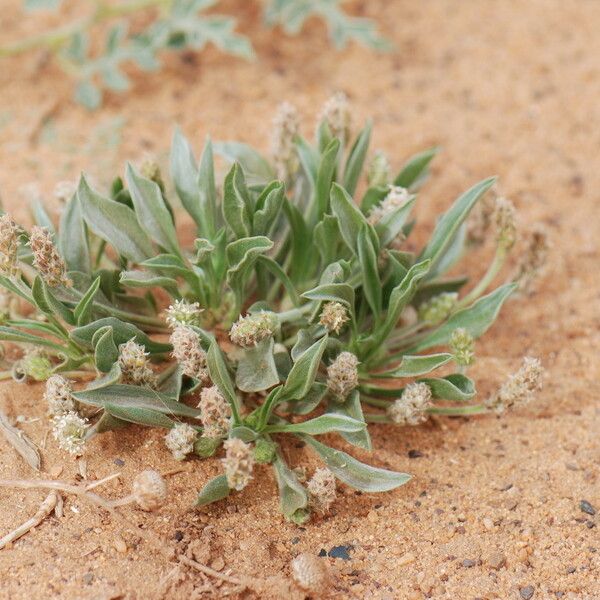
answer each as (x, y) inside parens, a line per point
(493, 511)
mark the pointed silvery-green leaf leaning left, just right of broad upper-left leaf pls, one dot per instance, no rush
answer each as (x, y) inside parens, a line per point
(151, 210)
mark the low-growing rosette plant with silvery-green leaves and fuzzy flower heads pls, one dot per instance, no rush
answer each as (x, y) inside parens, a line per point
(298, 308)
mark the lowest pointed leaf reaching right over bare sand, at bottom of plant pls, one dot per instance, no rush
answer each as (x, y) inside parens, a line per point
(354, 473)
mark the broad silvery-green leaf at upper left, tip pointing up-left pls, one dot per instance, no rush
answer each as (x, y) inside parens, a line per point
(114, 222)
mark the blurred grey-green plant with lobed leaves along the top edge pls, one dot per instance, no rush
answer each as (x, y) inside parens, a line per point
(175, 25)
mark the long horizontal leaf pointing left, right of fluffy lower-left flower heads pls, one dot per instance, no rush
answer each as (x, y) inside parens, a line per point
(135, 397)
